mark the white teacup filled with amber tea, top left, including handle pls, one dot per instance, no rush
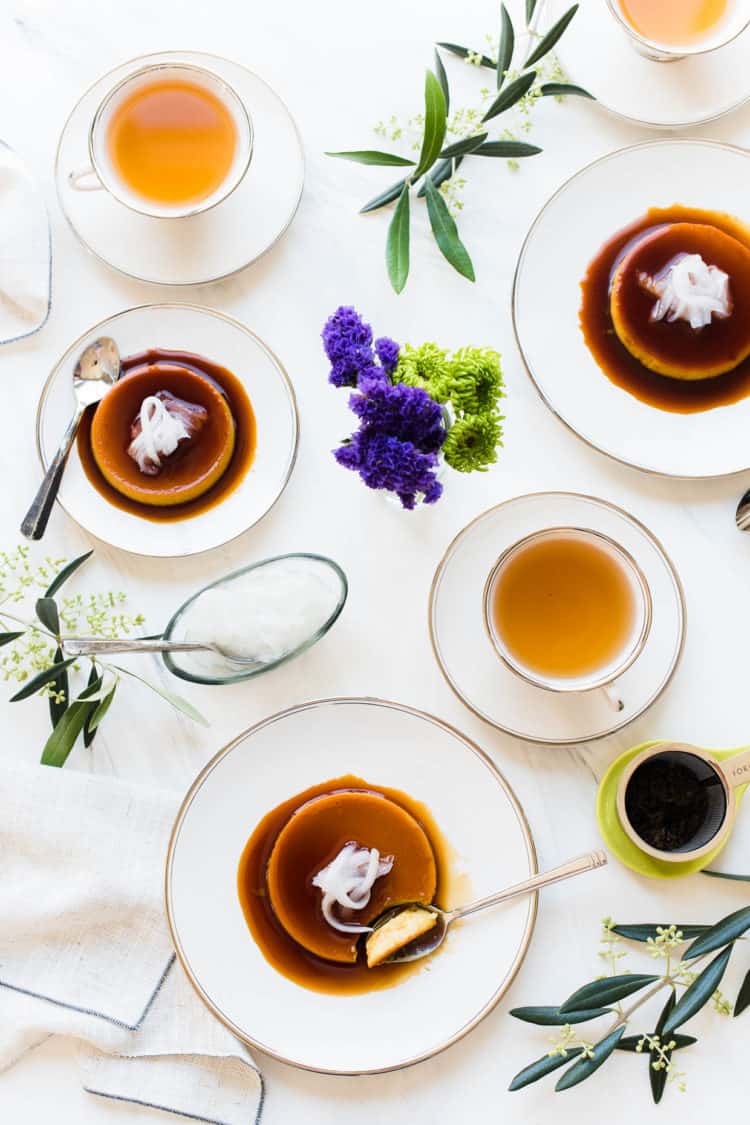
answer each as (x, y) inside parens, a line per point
(169, 141)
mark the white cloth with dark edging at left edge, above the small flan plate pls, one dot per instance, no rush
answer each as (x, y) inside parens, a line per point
(25, 251)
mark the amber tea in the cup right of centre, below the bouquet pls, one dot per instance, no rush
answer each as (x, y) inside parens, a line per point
(564, 607)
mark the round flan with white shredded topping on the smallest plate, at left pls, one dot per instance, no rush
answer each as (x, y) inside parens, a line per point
(164, 436)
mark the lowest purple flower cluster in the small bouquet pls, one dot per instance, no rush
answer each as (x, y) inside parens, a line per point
(385, 462)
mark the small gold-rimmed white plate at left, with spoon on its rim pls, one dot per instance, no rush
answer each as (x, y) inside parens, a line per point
(223, 340)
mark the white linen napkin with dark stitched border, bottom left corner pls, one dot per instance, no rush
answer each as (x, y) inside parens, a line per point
(85, 950)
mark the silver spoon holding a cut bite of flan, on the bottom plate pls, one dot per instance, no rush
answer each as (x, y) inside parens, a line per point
(428, 943)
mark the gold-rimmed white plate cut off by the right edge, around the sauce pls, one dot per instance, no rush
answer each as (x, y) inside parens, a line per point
(612, 193)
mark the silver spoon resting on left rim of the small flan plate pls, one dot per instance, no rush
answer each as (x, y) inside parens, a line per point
(97, 370)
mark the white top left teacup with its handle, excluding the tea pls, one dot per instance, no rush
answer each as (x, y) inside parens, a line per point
(103, 175)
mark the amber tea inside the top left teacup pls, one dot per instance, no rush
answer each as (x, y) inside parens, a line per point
(173, 142)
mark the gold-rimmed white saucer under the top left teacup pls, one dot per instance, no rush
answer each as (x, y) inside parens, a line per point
(204, 248)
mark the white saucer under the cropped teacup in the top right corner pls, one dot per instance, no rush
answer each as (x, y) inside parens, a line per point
(597, 53)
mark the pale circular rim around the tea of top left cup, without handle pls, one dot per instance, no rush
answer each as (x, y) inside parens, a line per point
(153, 68)
